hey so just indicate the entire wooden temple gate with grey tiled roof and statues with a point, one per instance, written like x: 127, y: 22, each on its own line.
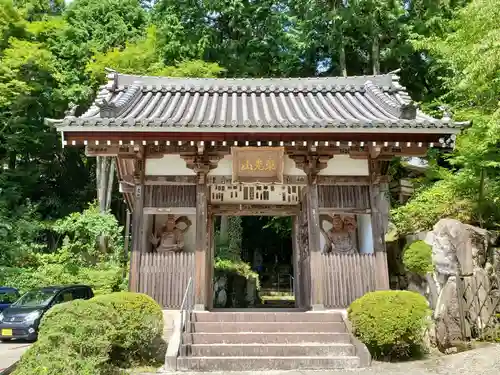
x: 316, y: 149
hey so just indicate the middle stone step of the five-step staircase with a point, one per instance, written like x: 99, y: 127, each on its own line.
x: 266, y: 338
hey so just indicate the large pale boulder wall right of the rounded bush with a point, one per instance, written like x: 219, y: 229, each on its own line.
x: 466, y: 276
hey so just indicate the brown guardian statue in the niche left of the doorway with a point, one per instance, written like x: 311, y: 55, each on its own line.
x: 170, y: 237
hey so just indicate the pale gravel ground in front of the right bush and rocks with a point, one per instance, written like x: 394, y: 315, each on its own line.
x: 481, y: 361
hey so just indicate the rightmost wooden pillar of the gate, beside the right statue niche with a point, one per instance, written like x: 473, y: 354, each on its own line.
x: 379, y: 195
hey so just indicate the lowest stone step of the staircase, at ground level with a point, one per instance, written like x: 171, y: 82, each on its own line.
x: 265, y: 363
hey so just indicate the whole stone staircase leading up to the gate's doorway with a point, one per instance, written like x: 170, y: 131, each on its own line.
x: 255, y: 341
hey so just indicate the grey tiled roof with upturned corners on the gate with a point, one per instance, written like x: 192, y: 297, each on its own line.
x: 164, y: 103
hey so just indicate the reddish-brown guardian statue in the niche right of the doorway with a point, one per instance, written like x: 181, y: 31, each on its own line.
x: 341, y: 237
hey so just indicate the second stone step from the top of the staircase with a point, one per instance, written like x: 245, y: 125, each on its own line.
x: 264, y: 327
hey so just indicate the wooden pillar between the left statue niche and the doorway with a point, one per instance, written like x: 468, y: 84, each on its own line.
x: 200, y: 281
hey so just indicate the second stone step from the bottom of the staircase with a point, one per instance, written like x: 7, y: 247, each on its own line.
x: 269, y: 350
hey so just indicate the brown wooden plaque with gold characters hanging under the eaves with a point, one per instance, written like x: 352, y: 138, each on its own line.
x: 258, y: 164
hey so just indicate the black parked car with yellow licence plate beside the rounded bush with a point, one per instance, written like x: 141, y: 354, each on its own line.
x: 22, y: 319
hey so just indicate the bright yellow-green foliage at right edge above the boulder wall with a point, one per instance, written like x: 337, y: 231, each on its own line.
x: 466, y: 53
